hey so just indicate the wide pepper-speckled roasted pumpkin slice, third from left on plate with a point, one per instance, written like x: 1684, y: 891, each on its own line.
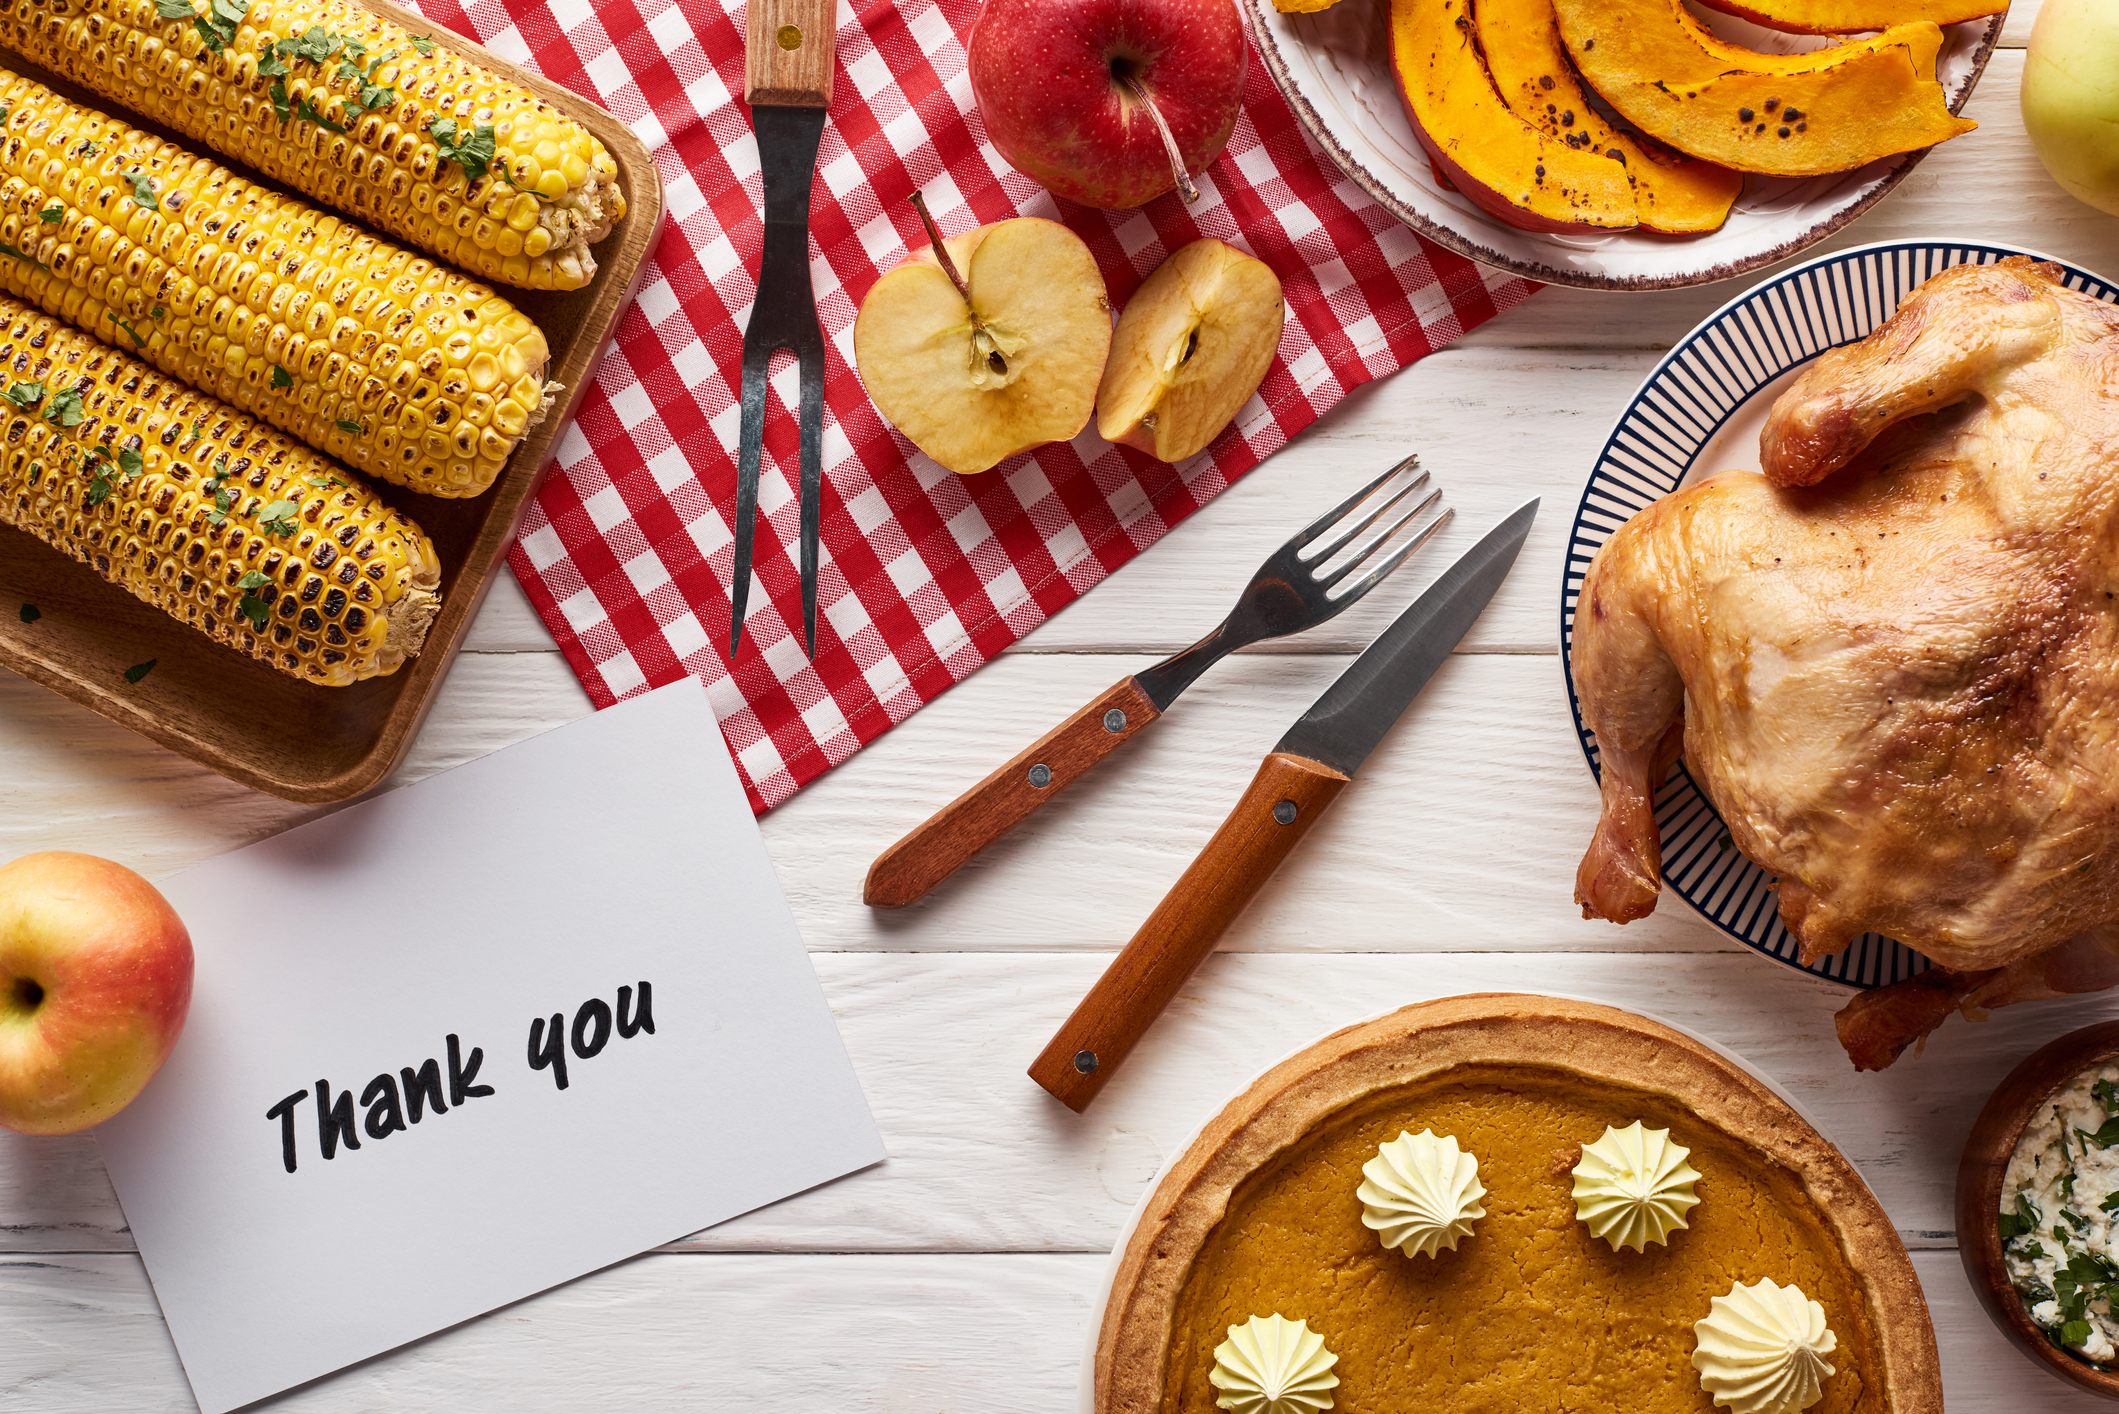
x: 1783, y: 116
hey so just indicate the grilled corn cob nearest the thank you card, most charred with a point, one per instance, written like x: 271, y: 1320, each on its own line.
x: 202, y: 512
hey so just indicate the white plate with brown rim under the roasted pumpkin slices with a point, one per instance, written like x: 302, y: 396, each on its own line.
x: 1334, y: 67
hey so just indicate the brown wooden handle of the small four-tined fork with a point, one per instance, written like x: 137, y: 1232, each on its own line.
x: 1005, y: 800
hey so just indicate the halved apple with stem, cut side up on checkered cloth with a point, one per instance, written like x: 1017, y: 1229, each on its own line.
x: 986, y: 344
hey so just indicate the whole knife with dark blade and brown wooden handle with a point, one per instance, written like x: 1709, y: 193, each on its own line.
x: 1296, y: 783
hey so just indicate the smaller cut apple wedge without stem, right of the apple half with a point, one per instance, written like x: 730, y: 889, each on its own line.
x: 1192, y: 347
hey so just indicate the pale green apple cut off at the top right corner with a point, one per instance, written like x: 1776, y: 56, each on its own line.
x: 2071, y: 99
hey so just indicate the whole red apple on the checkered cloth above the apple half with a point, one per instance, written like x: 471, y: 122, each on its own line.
x: 1067, y: 90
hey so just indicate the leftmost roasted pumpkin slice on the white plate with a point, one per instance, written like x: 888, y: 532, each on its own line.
x: 1503, y: 164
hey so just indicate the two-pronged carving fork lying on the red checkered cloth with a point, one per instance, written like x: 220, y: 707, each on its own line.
x: 787, y: 84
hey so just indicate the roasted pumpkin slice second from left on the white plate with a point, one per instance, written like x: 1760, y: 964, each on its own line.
x: 1531, y: 71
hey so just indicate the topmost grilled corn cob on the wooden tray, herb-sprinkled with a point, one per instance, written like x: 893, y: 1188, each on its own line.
x: 357, y: 113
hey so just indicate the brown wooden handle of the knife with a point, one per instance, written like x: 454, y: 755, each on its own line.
x: 1283, y: 802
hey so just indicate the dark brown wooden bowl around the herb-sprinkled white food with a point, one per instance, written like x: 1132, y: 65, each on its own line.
x: 1980, y: 1176
